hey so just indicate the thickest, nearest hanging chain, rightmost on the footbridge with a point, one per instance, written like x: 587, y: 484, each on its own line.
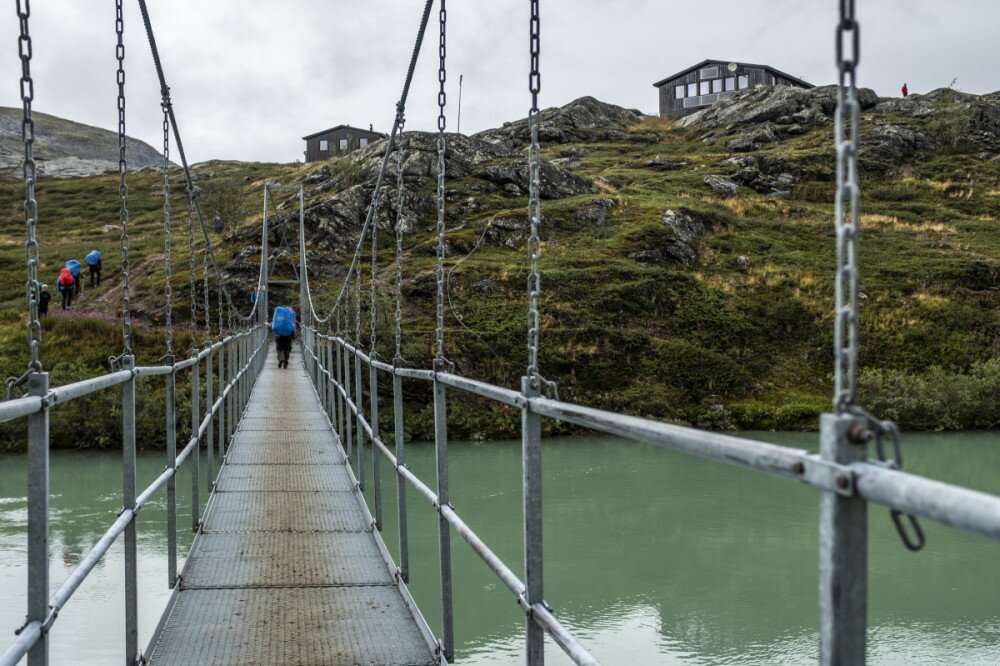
x: 846, y: 222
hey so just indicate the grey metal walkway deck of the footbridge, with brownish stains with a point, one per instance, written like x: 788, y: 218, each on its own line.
x: 288, y: 569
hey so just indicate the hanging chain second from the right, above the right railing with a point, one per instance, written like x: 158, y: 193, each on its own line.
x: 535, y: 380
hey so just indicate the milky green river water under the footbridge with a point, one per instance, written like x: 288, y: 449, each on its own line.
x: 651, y: 556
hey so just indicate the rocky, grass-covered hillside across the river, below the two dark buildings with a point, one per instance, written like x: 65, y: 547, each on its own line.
x: 687, y: 266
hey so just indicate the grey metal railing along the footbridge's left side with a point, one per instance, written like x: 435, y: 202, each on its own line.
x: 240, y: 360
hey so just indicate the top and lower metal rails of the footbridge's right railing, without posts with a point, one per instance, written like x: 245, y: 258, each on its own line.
x: 874, y: 482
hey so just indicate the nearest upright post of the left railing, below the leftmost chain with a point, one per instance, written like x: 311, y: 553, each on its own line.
x: 38, y: 519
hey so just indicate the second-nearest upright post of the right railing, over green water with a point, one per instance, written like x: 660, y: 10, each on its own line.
x: 531, y: 467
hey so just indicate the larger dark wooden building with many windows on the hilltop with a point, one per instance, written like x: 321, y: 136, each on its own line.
x: 709, y: 81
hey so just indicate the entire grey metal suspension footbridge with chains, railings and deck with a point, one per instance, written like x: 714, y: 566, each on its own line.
x: 288, y: 565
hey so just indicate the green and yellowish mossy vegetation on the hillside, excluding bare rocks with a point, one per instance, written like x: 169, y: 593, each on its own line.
x: 715, y: 343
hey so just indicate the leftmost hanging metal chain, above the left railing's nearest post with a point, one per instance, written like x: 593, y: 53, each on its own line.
x: 33, y: 288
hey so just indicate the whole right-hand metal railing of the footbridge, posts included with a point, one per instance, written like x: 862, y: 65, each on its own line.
x: 847, y: 480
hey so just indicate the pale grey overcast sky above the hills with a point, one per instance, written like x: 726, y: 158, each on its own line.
x: 249, y: 78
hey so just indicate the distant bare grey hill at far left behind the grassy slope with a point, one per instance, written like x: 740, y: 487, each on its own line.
x: 64, y: 148
